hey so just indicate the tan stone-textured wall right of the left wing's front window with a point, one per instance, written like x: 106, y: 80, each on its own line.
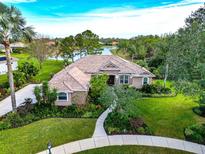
x: 79, y: 97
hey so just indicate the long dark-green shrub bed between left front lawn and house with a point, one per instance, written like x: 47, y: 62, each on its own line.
x: 27, y: 114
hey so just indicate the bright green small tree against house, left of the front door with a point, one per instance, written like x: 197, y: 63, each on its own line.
x: 98, y: 85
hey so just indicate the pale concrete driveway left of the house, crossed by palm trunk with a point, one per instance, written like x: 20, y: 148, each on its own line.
x: 21, y: 95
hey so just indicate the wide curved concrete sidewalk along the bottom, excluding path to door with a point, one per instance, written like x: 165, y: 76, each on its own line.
x: 154, y: 141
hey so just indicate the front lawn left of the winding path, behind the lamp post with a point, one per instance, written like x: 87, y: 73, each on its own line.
x: 34, y: 137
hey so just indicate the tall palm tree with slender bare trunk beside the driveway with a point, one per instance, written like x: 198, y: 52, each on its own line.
x: 12, y: 28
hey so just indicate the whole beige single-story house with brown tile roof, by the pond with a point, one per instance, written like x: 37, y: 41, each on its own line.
x: 72, y: 83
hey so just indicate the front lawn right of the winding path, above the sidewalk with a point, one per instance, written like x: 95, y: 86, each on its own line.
x: 168, y: 116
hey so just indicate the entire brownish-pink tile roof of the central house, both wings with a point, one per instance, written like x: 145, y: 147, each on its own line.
x: 76, y: 76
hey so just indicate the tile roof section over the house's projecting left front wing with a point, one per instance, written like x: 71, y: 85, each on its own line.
x: 70, y: 80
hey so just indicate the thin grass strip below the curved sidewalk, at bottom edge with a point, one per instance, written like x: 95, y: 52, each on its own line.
x: 132, y: 150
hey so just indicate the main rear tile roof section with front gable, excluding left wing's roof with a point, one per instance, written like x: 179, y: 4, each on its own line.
x: 94, y: 64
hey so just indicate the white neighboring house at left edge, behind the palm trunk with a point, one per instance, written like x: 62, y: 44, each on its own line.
x: 3, y: 65
